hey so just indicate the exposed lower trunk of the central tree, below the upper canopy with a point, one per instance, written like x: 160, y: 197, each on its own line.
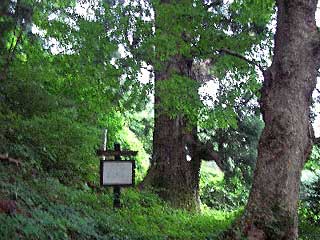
x: 172, y: 173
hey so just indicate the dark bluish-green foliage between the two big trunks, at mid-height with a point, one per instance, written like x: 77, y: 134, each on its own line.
x: 236, y: 146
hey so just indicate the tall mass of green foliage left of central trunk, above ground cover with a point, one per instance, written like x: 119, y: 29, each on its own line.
x: 53, y: 104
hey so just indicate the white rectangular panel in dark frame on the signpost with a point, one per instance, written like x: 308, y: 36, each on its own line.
x: 115, y: 173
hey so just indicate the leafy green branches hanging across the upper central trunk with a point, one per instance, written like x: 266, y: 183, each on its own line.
x: 240, y: 26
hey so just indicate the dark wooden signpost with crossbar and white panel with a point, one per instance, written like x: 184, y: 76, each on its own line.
x: 117, y: 173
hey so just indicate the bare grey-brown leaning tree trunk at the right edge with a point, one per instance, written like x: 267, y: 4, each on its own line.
x: 286, y: 141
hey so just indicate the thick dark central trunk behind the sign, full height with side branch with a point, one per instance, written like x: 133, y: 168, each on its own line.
x: 177, y: 151
